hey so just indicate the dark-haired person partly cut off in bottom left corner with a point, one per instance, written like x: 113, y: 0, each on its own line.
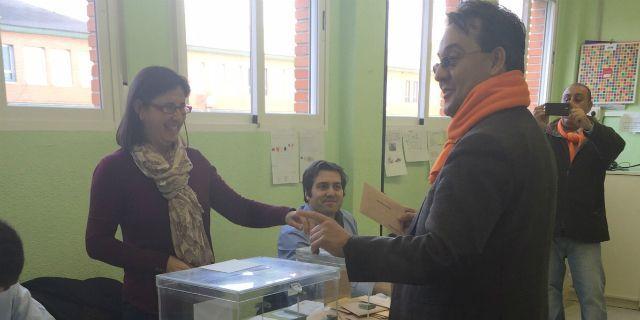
x: 16, y: 302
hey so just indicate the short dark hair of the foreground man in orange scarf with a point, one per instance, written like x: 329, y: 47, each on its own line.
x: 496, y: 26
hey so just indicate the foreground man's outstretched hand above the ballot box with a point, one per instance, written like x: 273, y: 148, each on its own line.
x: 327, y: 234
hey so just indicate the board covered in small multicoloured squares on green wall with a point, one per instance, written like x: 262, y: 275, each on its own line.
x: 610, y: 70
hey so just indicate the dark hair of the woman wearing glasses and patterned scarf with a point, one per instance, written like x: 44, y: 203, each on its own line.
x: 148, y: 84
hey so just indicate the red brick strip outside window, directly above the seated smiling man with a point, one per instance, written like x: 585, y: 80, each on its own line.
x: 302, y: 69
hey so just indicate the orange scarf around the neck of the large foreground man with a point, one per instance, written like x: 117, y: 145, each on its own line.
x: 501, y: 92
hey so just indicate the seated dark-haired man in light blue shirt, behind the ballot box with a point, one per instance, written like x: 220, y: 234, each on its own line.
x: 323, y: 186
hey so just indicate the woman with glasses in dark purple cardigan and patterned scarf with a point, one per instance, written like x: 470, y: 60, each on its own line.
x: 160, y: 191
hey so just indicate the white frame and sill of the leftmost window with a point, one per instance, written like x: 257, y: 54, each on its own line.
x: 61, y: 118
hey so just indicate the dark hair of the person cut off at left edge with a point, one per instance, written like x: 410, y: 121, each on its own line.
x: 11, y: 256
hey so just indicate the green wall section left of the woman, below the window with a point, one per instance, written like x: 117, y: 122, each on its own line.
x: 44, y: 194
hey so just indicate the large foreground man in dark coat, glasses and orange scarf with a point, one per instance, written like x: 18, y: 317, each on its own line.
x: 479, y: 246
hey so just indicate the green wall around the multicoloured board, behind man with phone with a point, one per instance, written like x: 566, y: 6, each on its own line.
x: 580, y: 20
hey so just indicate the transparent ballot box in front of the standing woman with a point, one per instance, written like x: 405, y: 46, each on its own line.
x: 254, y: 288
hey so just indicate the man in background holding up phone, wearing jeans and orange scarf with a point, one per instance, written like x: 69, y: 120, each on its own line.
x: 584, y: 149
